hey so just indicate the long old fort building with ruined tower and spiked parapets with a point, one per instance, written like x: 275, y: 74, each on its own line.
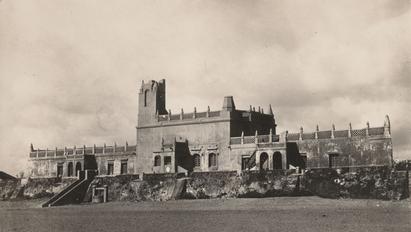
x: 222, y: 140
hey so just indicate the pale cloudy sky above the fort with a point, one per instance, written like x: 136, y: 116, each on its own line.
x: 70, y: 71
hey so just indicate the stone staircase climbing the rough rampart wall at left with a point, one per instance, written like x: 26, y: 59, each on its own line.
x: 75, y: 192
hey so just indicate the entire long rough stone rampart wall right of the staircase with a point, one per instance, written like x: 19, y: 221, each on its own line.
x: 371, y: 182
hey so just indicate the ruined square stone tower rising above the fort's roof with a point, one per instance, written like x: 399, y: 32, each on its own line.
x: 151, y: 102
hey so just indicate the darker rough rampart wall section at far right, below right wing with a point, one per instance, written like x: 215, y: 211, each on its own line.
x: 368, y: 182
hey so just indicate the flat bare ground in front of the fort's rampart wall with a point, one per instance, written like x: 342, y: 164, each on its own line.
x: 268, y: 214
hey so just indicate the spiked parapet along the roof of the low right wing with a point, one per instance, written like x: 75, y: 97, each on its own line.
x: 368, y: 131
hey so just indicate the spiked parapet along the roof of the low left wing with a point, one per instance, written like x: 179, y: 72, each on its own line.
x: 84, y: 150
